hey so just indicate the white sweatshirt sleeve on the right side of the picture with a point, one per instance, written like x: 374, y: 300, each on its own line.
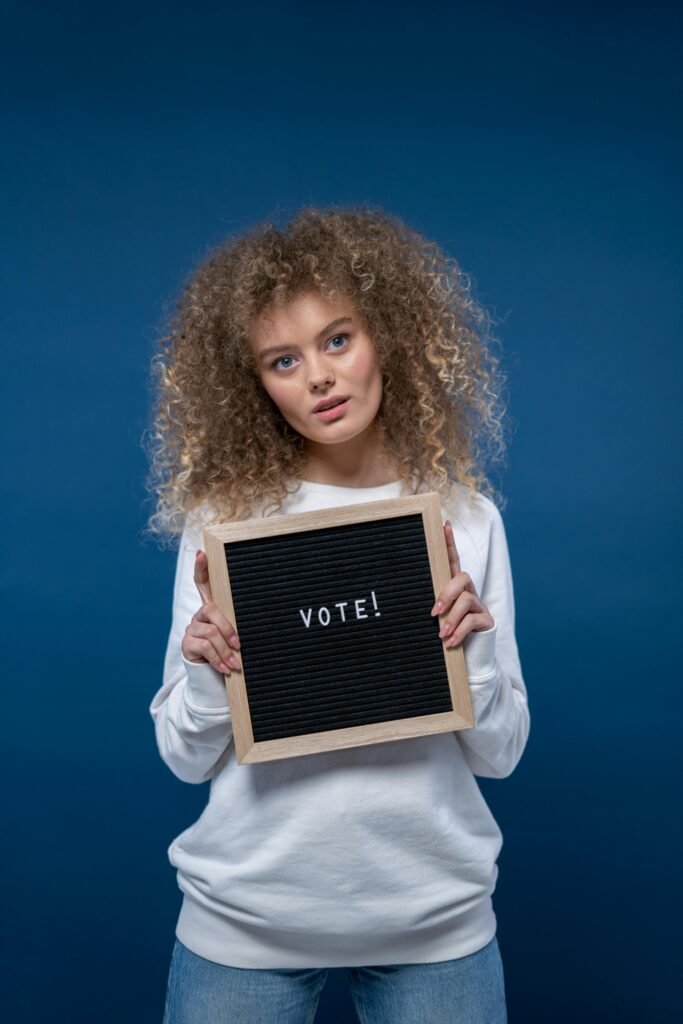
x: 495, y: 745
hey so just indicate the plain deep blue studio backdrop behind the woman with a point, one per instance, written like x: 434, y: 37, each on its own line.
x: 541, y: 146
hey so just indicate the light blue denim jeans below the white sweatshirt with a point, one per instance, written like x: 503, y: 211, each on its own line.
x: 466, y: 991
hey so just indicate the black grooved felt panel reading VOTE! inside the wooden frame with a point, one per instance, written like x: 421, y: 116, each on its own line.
x: 353, y: 671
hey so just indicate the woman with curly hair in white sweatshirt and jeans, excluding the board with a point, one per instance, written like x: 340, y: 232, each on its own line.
x: 380, y: 859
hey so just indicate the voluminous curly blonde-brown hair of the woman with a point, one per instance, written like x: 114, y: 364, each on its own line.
x: 218, y: 437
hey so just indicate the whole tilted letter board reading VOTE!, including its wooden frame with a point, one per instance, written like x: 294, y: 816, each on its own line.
x: 333, y: 610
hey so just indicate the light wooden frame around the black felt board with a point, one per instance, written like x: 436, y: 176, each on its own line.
x: 248, y: 751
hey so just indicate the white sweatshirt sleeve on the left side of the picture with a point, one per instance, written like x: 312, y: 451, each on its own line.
x: 191, y: 712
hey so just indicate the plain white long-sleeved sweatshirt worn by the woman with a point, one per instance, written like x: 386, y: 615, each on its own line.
x: 374, y: 856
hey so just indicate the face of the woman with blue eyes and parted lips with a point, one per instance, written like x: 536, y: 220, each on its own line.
x: 312, y: 352
